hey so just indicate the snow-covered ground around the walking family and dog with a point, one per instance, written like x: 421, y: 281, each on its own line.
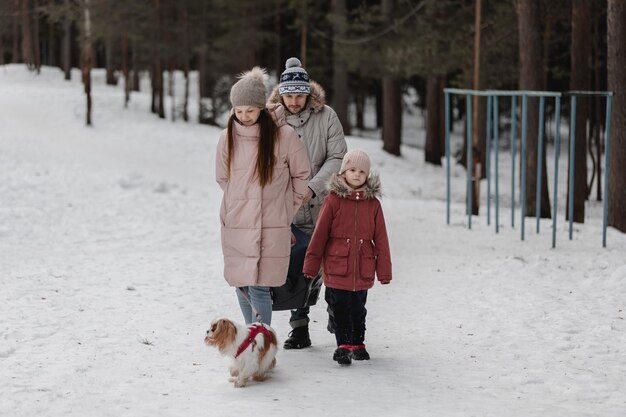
x: 111, y: 270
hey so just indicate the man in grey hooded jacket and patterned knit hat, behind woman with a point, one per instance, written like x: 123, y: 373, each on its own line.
x: 319, y: 129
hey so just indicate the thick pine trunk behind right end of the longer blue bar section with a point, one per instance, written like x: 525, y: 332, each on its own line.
x: 531, y: 78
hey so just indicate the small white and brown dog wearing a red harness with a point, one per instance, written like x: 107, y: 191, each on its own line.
x: 252, y: 348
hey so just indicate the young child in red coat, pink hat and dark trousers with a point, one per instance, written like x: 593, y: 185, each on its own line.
x: 350, y: 242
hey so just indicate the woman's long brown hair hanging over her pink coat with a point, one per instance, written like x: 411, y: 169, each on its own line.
x: 266, y: 159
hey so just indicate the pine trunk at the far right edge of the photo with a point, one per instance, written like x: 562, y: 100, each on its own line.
x: 616, y: 62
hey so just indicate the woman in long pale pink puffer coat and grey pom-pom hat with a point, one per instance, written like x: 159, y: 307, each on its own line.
x: 263, y: 169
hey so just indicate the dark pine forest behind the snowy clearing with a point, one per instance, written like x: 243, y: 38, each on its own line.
x: 360, y: 52
